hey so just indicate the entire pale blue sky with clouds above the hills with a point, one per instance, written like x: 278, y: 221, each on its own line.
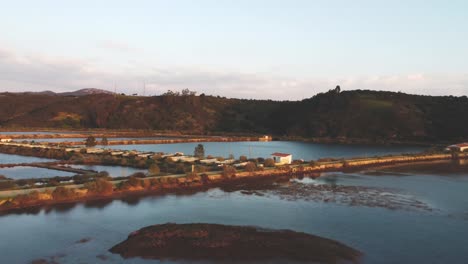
x: 264, y: 49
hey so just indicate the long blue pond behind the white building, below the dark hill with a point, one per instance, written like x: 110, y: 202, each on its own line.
x: 300, y: 150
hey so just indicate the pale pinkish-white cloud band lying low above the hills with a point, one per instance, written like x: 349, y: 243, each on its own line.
x: 37, y: 72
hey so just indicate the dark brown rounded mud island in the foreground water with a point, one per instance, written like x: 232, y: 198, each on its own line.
x: 215, y: 242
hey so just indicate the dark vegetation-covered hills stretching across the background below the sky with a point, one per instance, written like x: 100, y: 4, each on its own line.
x: 367, y: 115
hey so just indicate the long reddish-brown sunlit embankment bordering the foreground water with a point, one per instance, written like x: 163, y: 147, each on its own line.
x: 201, y: 181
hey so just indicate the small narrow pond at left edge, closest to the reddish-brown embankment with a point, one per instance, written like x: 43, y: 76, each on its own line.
x: 25, y: 172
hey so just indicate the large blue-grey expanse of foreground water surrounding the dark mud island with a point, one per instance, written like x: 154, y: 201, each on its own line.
x: 385, y: 236
